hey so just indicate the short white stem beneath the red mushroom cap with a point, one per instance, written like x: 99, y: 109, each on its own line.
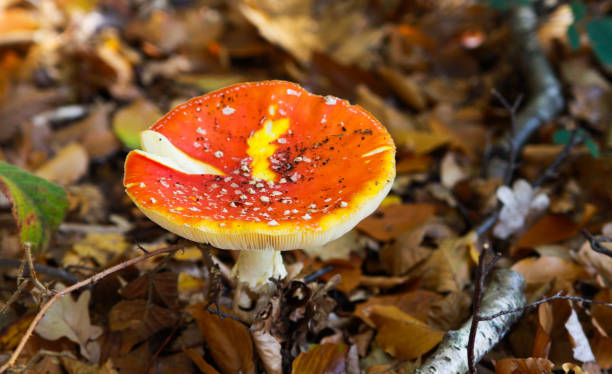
x: 256, y: 267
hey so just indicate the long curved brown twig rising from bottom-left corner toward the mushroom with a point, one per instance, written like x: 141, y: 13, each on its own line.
x: 85, y: 282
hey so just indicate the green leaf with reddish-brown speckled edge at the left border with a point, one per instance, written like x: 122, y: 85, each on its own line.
x: 38, y: 205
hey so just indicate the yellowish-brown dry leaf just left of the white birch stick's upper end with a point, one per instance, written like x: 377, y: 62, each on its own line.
x: 448, y: 268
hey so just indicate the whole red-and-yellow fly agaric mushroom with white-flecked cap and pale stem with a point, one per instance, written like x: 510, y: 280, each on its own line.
x: 261, y: 168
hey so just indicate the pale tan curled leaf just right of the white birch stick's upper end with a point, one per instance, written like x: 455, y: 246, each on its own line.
x: 545, y: 268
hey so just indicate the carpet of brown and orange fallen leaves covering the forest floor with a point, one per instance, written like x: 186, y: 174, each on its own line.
x: 80, y: 80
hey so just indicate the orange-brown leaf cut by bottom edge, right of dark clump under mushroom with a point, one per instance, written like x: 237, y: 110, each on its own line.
x: 321, y: 359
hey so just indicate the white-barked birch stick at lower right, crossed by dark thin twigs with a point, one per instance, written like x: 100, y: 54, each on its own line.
x: 505, y: 292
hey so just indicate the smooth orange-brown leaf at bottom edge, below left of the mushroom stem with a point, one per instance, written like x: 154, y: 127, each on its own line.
x: 228, y: 340
